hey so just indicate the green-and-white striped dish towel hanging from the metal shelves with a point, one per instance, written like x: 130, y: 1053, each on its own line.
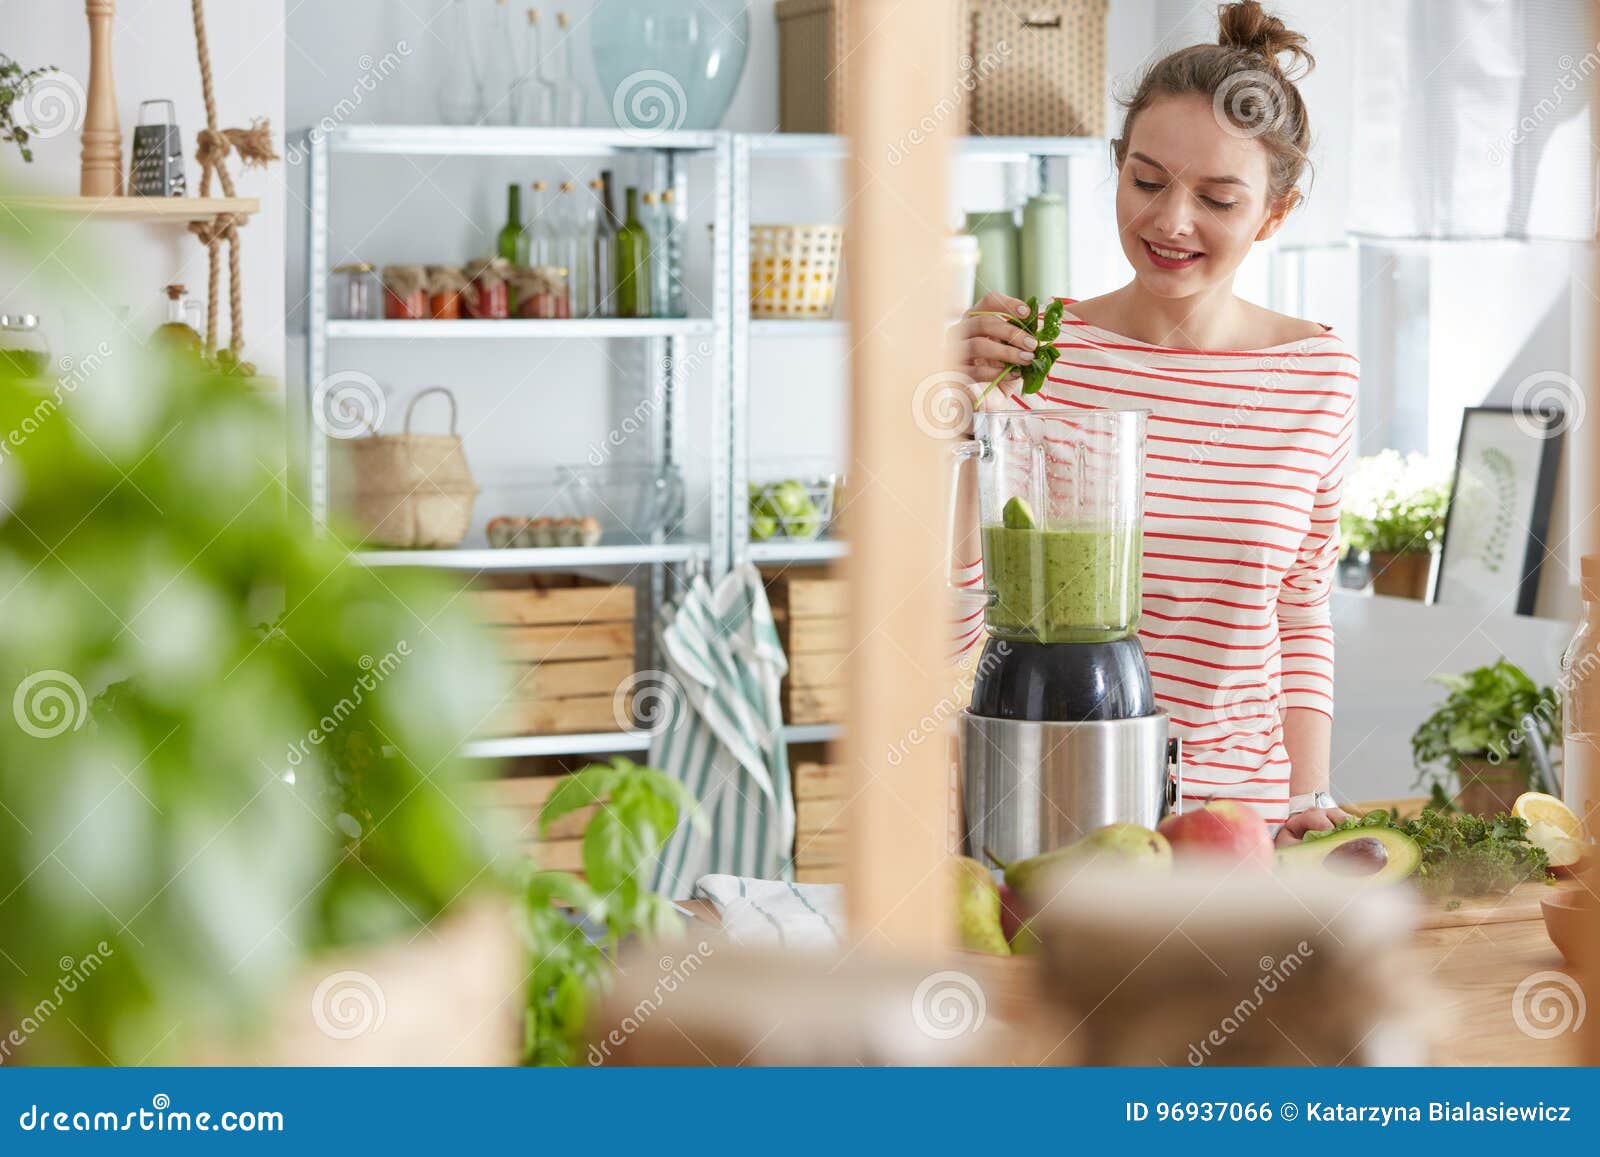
x: 724, y: 735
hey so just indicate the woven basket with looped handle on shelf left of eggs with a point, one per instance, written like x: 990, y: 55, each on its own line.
x: 410, y: 490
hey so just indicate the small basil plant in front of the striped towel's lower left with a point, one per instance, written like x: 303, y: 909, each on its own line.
x: 638, y: 809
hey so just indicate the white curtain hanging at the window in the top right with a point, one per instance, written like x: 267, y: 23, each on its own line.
x: 1473, y: 119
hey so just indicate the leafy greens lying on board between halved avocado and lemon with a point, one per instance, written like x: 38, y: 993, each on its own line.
x: 1463, y: 855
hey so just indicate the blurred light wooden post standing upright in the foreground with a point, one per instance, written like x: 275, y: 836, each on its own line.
x: 898, y: 105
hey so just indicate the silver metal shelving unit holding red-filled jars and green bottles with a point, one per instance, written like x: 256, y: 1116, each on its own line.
x: 670, y: 346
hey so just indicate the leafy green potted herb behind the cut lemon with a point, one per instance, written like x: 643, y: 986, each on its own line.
x: 1482, y: 718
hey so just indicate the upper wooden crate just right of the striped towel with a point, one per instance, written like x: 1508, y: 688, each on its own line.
x: 810, y: 612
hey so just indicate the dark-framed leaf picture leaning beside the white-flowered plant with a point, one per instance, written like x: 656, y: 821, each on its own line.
x: 1500, y: 508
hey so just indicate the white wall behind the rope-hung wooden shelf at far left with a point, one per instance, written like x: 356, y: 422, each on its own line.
x: 154, y: 57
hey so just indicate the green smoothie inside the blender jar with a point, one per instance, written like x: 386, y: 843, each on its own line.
x: 1063, y: 587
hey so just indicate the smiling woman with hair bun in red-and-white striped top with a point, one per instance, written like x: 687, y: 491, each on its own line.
x: 1252, y: 418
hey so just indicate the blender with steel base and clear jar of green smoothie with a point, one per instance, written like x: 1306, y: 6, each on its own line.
x: 1063, y: 734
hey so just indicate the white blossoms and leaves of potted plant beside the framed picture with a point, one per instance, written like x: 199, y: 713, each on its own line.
x: 1396, y: 505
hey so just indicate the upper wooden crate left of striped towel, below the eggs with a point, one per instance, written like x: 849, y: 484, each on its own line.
x: 570, y: 646
